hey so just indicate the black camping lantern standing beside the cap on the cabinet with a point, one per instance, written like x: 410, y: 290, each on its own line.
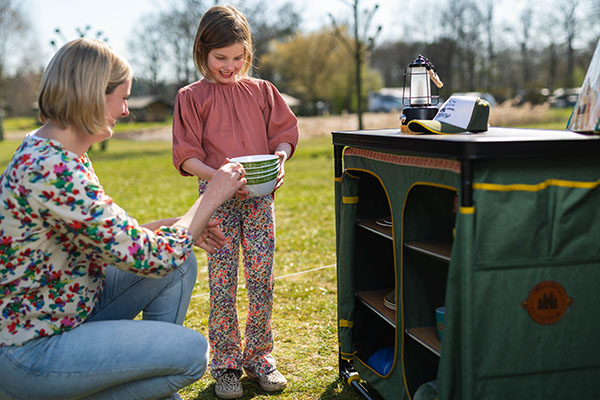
x: 419, y: 103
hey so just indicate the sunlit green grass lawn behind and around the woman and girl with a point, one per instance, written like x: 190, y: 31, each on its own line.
x: 142, y: 180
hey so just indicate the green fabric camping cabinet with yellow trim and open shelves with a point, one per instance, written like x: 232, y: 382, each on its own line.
x: 501, y: 228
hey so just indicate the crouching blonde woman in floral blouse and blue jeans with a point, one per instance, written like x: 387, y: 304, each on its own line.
x: 75, y: 268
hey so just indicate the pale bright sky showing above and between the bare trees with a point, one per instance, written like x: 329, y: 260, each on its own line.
x: 118, y: 18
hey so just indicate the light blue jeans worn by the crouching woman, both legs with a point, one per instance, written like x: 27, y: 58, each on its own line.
x: 111, y: 356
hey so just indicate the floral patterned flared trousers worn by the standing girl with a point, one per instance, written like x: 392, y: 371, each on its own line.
x: 250, y: 224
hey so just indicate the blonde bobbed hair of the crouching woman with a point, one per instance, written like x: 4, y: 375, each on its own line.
x: 75, y: 82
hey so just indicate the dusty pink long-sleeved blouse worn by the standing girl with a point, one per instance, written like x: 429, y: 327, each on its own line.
x: 213, y: 121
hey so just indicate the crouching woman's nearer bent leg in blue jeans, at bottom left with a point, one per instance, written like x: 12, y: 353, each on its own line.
x: 105, y: 360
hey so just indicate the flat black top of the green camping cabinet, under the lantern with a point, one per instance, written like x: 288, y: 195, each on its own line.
x: 495, y: 143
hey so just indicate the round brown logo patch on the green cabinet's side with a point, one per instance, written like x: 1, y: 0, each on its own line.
x: 547, y: 302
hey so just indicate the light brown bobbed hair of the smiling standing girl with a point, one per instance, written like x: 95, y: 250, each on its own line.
x: 222, y: 26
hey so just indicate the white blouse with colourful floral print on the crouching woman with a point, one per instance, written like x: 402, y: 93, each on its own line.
x: 58, y: 232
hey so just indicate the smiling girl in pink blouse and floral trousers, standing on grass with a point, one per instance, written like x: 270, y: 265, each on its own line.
x: 228, y: 114
